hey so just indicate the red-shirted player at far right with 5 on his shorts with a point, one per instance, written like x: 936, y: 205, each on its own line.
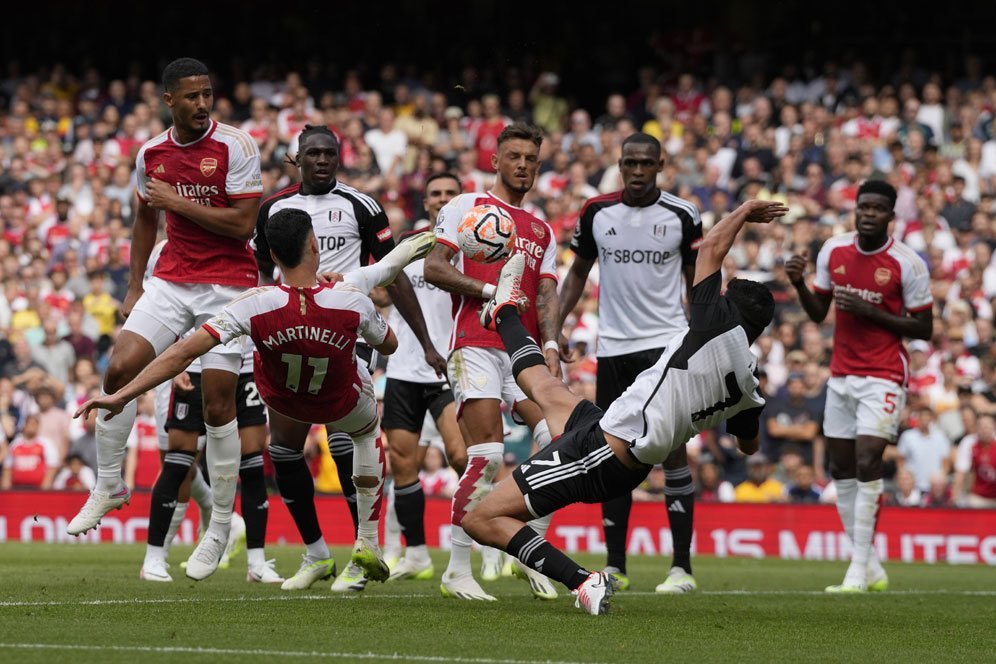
x: 881, y: 289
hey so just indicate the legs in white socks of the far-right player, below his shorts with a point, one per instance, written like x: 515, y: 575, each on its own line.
x: 856, y: 466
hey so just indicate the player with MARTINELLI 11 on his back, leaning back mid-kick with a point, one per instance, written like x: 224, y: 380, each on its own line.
x: 306, y: 370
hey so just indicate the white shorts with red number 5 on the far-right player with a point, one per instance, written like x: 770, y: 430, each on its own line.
x: 862, y: 406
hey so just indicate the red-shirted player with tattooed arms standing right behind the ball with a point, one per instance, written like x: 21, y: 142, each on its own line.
x: 479, y: 370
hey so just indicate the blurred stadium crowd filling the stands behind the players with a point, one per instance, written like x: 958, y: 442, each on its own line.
x: 67, y: 184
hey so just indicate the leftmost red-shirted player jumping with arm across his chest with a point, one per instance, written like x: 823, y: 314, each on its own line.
x: 205, y: 177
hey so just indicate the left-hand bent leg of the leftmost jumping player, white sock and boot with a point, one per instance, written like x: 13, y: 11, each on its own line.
x: 131, y: 354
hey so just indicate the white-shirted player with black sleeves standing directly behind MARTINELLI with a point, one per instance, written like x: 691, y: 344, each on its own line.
x: 351, y: 228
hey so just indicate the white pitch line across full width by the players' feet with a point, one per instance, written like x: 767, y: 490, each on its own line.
x: 353, y: 598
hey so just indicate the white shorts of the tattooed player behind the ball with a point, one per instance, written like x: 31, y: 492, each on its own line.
x: 482, y: 373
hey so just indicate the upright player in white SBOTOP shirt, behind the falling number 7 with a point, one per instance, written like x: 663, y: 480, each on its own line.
x: 644, y: 241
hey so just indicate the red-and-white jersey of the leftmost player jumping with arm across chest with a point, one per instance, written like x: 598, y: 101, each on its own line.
x: 219, y: 167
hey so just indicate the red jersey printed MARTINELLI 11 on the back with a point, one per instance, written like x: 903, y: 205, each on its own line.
x: 305, y: 360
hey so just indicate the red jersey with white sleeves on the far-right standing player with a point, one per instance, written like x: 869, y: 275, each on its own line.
x: 893, y: 278
